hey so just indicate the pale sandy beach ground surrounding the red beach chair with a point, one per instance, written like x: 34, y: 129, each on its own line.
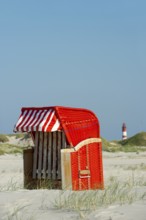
x: 18, y: 203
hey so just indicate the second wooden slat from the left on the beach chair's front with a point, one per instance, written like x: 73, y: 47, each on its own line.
x: 40, y: 155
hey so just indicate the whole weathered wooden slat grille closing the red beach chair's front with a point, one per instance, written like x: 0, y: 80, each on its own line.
x: 47, y: 154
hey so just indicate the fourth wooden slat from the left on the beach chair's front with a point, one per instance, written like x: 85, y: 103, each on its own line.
x: 49, y: 155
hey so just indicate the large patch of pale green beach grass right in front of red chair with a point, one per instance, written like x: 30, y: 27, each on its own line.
x: 115, y: 192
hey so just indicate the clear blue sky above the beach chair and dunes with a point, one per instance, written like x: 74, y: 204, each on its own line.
x: 89, y: 54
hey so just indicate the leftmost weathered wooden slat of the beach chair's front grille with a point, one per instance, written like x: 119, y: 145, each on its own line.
x: 35, y: 155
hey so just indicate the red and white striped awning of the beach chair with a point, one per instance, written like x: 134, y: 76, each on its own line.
x: 37, y: 119
